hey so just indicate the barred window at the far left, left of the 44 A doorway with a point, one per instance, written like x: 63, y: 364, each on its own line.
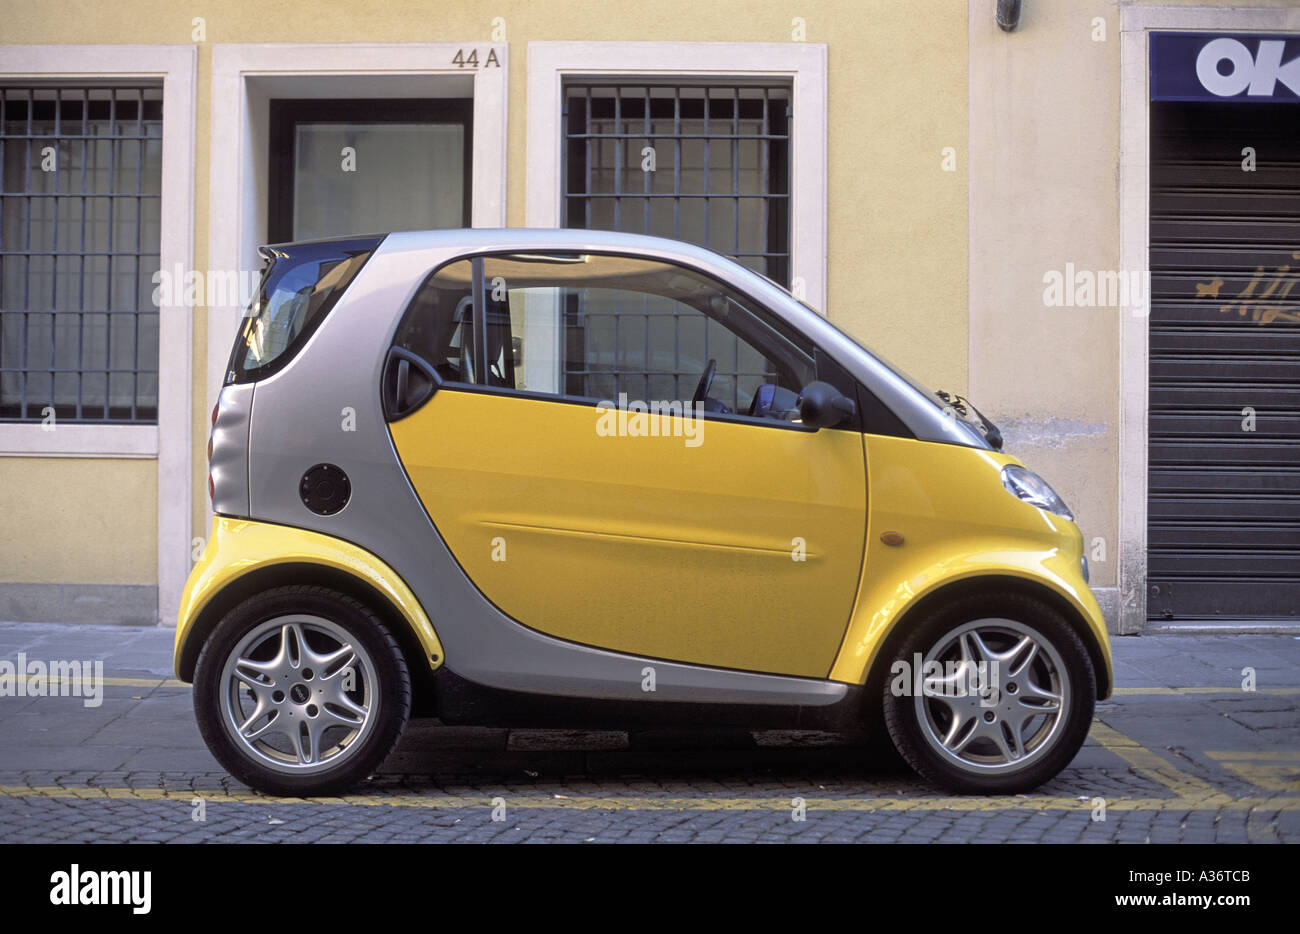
x: 80, y: 239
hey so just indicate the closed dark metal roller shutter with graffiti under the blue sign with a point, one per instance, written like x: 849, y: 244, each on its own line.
x: 1224, y: 509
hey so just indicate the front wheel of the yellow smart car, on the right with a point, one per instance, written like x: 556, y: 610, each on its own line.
x: 960, y: 730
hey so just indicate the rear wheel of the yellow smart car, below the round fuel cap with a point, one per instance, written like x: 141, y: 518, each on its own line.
x: 301, y: 691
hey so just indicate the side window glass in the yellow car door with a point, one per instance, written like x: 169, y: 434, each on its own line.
x: 610, y: 328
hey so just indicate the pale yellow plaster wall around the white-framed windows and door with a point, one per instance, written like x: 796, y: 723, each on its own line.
x: 896, y: 222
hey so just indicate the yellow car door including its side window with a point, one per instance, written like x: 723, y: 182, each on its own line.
x: 591, y: 491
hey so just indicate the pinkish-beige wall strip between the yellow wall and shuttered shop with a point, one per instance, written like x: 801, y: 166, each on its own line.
x: 1045, y: 192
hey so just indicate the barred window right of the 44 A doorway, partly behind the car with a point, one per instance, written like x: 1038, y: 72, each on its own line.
x: 704, y: 163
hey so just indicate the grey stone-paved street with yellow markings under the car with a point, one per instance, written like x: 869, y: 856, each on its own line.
x: 1182, y: 754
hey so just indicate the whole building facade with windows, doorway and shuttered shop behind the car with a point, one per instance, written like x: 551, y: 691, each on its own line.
x: 1100, y: 210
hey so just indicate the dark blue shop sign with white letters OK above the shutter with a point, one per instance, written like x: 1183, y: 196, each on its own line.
x: 1216, y: 67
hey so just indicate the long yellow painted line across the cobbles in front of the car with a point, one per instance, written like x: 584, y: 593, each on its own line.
x: 644, y: 803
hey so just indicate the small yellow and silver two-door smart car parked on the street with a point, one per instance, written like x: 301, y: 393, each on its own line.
x: 584, y: 479
